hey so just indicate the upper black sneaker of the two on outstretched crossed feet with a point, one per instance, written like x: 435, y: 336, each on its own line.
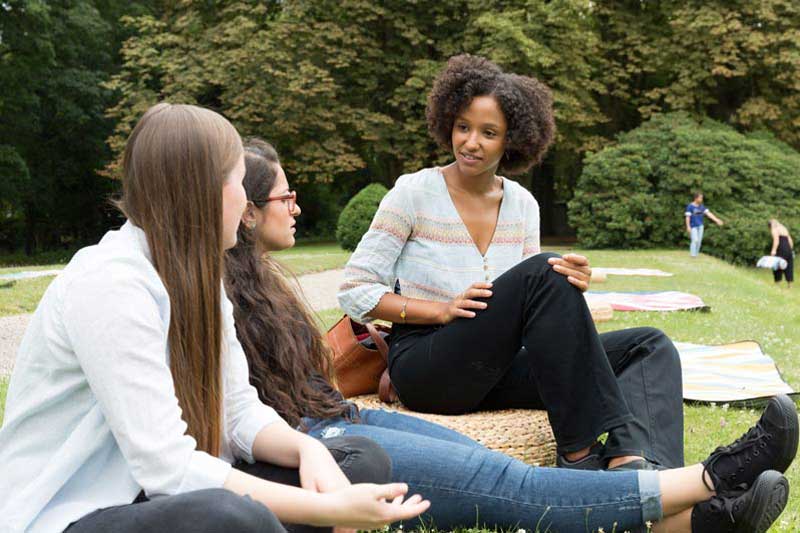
x: 769, y: 445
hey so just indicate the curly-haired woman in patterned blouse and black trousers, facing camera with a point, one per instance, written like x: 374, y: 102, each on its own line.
x: 483, y: 319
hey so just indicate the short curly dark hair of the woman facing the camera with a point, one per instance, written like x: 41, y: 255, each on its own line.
x: 527, y: 105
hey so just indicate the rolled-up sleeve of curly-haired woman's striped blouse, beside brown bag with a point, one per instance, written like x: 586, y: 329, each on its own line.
x: 370, y: 272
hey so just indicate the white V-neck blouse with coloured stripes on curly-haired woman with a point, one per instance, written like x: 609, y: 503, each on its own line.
x: 418, y: 242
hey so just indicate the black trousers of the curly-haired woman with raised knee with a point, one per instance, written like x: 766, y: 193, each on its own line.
x: 581, y: 378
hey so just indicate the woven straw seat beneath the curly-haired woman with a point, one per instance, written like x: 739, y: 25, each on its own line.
x: 524, y: 434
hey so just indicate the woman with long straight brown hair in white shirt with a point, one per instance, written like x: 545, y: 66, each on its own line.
x: 129, y: 408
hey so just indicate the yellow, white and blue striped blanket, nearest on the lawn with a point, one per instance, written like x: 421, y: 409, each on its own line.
x: 729, y: 372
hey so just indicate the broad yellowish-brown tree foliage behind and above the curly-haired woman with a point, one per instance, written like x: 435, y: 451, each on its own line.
x: 340, y: 86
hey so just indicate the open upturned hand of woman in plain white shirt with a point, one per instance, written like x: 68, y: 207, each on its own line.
x: 367, y: 506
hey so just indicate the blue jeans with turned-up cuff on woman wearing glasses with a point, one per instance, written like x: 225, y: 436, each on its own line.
x: 469, y: 485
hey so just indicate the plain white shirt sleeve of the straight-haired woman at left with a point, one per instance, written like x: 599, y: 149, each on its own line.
x: 115, y: 325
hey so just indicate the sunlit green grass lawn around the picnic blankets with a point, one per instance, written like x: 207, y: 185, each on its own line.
x: 745, y: 304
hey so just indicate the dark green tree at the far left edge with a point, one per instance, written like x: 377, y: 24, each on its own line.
x: 54, y: 57
